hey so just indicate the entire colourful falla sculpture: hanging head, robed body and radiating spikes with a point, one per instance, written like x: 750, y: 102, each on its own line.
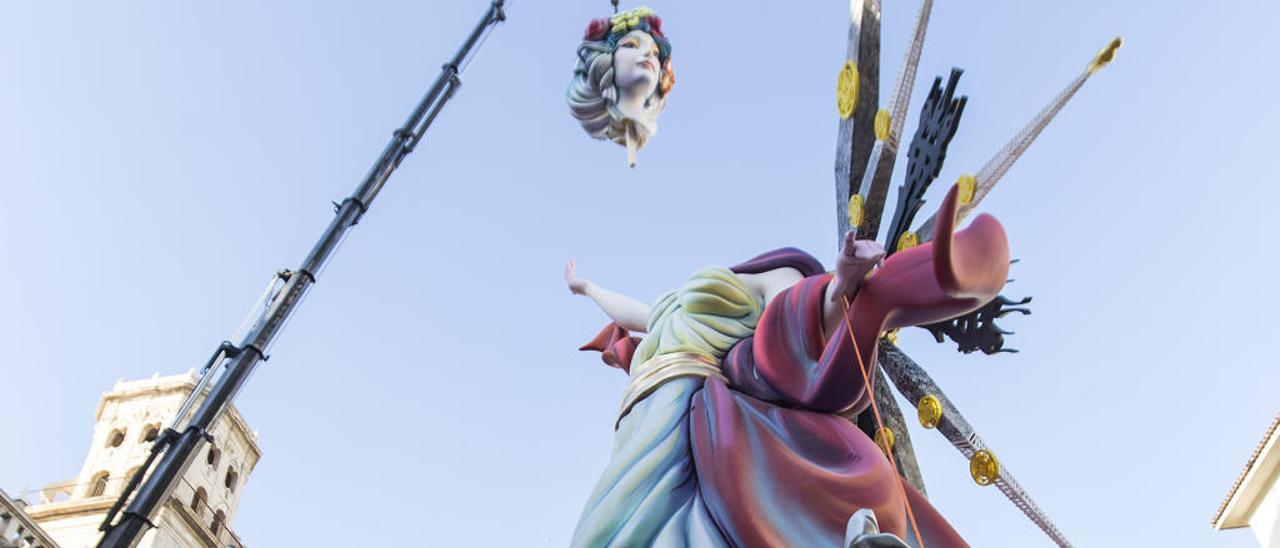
x: 734, y: 427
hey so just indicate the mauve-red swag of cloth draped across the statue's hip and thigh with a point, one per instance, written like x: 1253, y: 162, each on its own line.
x: 778, y: 477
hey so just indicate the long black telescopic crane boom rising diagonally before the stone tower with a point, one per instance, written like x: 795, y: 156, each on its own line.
x: 182, y: 447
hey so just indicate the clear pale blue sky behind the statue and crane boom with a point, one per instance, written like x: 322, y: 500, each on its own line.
x: 161, y: 161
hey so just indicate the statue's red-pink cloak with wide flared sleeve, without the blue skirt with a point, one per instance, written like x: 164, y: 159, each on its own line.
x: 774, y: 464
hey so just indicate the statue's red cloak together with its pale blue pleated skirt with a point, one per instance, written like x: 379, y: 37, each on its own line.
x: 764, y: 459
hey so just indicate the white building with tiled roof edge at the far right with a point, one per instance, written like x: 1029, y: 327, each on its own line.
x: 1255, y: 500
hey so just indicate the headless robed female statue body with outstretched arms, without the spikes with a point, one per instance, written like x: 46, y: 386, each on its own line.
x: 732, y: 430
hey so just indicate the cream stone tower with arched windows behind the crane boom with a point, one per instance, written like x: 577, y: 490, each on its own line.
x: 200, y: 510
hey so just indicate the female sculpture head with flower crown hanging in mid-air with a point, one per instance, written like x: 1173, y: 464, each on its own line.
x: 623, y: 79
